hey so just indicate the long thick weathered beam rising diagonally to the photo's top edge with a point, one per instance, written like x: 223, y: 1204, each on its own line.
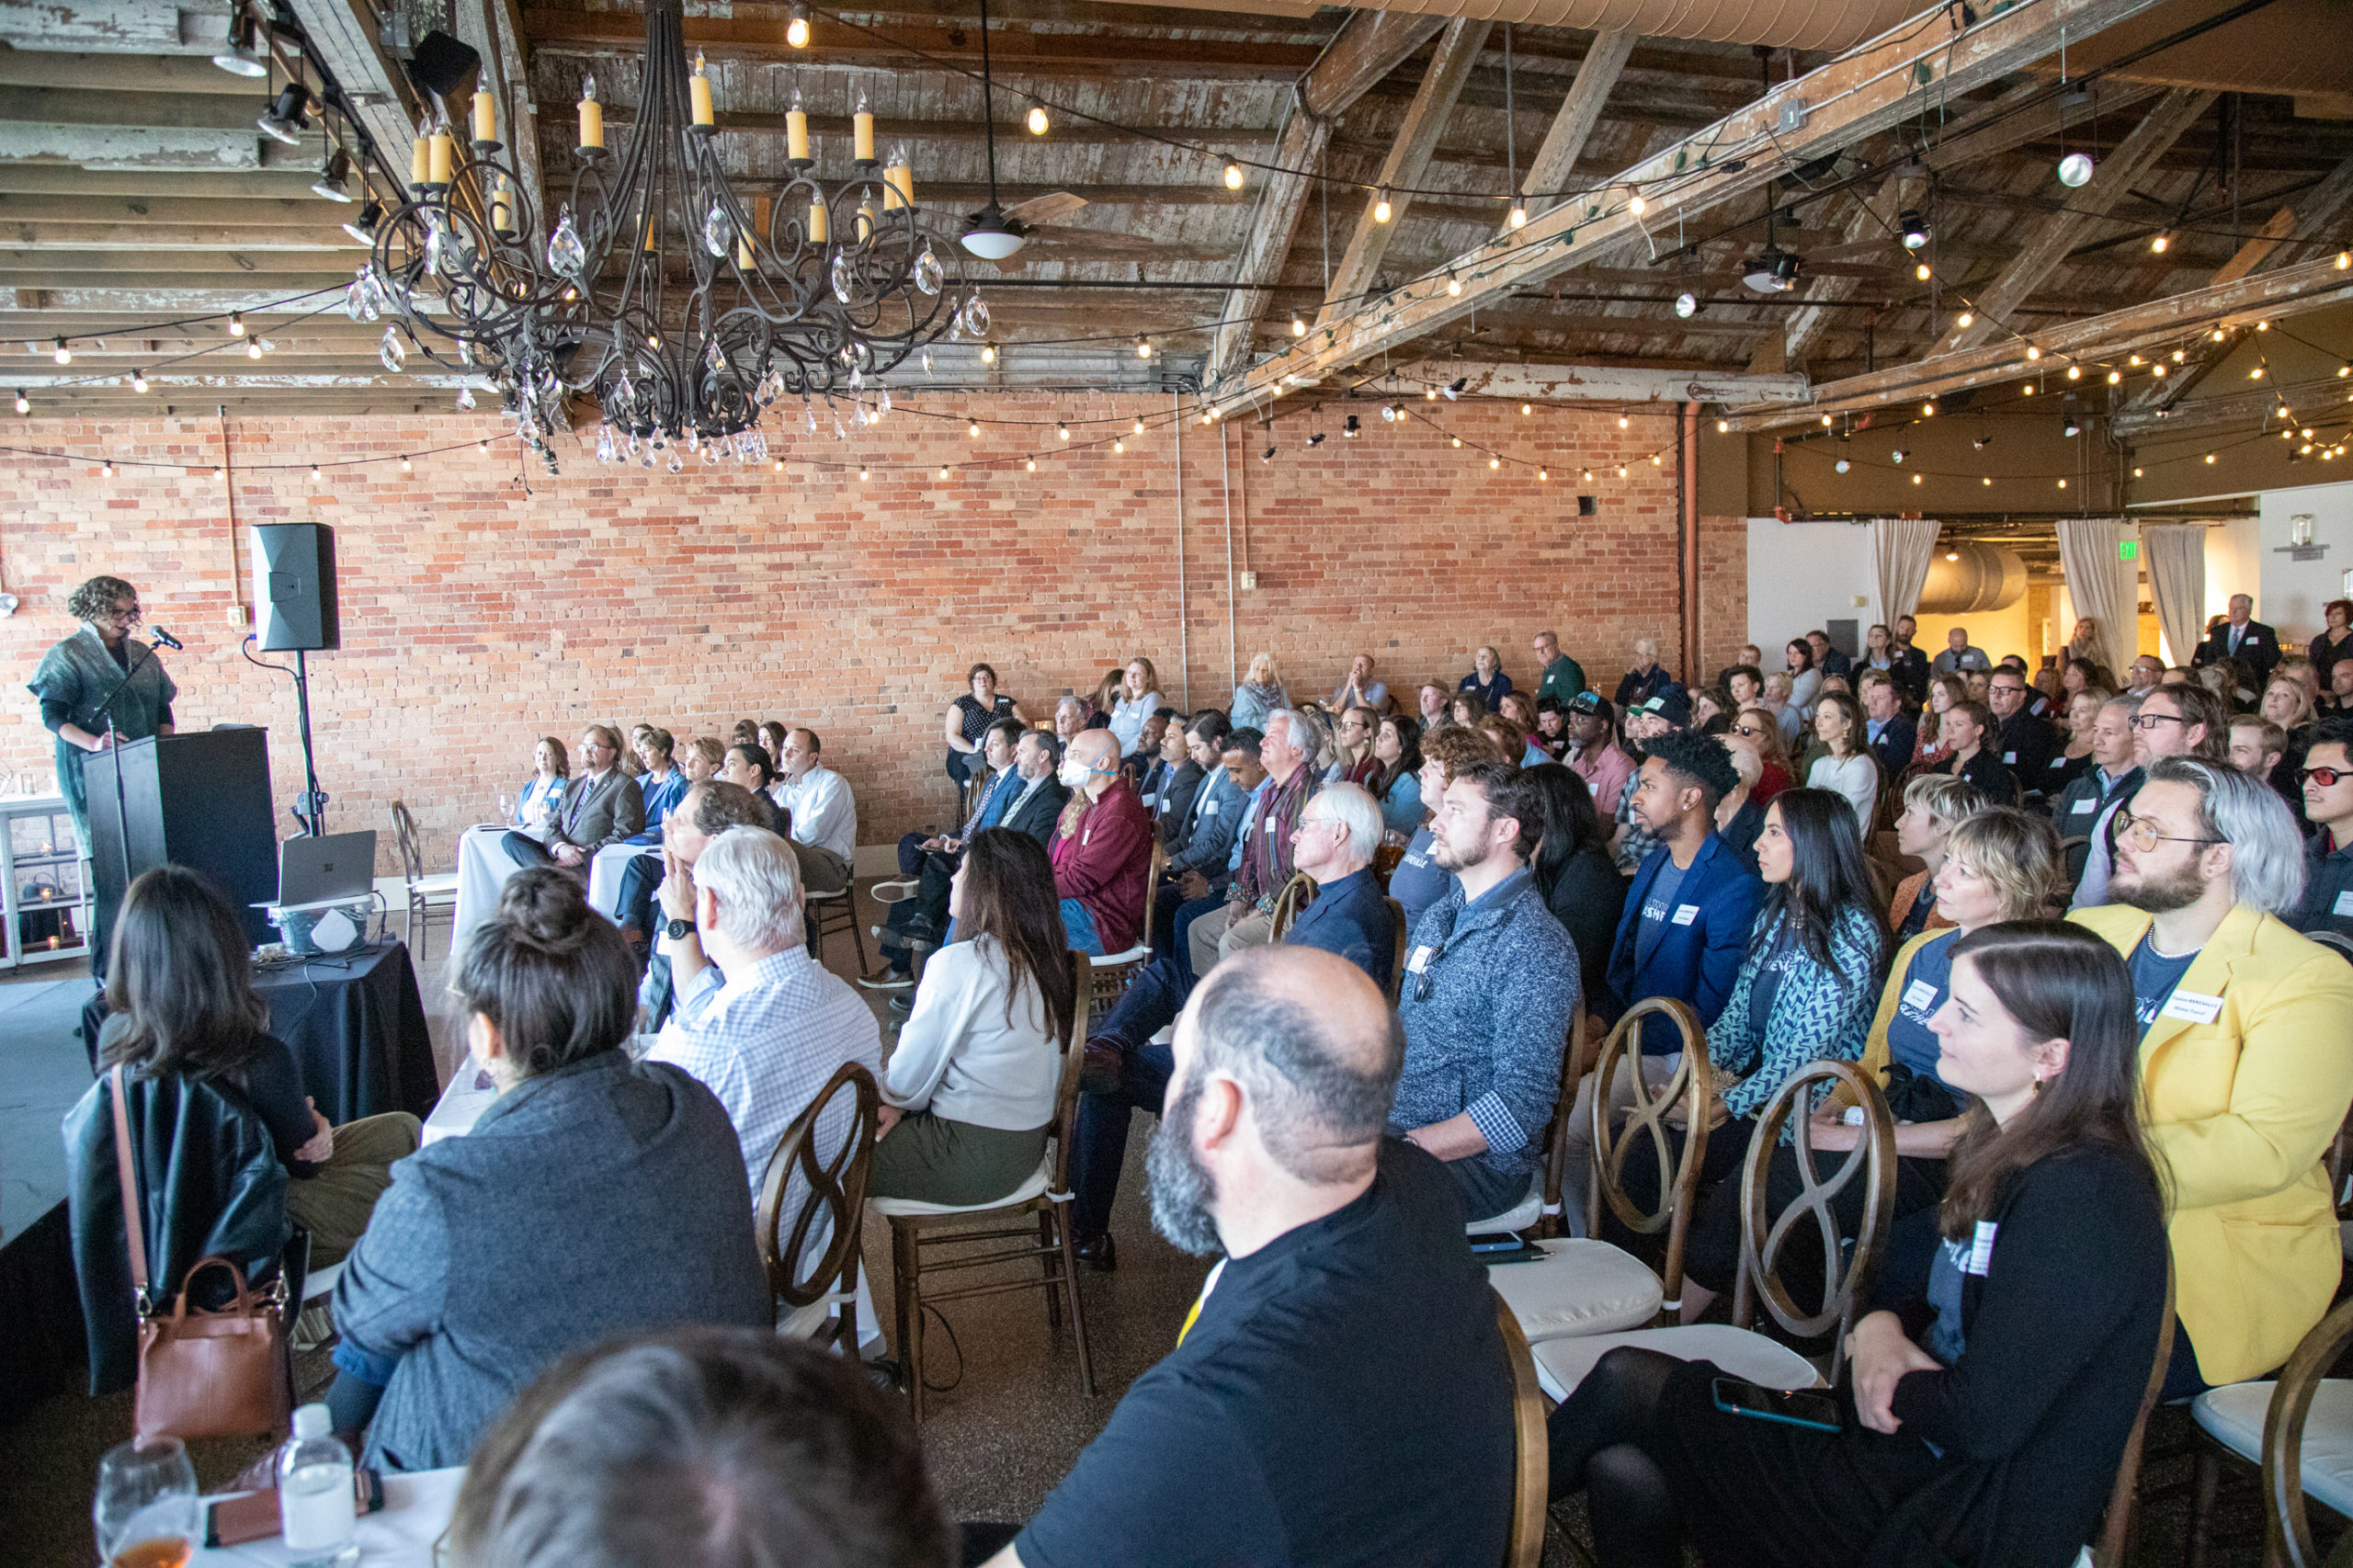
x: 1846, y: 102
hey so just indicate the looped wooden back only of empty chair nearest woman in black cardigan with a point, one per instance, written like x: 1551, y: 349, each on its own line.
x: 1846, y: 1277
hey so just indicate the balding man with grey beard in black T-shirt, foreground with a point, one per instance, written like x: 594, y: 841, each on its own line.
x: 1340, y: 1388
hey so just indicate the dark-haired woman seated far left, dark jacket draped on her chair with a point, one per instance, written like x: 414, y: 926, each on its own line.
x: 180, y: 999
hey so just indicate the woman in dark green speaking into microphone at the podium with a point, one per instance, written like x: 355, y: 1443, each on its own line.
x: 76, y: 677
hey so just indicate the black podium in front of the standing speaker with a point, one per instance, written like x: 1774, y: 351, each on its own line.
x: 196, y: 799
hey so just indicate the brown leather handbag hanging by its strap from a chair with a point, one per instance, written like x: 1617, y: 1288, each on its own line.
x: 201, y: 1374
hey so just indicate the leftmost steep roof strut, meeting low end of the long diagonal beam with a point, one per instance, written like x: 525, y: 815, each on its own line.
x: 1368, y: 48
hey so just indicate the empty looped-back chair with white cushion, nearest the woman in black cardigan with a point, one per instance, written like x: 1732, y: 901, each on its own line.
x: 1846, y: 1277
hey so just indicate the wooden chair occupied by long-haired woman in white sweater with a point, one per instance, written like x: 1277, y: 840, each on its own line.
x: 1046, y: 1197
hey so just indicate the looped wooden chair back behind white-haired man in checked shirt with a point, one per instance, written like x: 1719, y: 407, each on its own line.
x: 813, y: 1268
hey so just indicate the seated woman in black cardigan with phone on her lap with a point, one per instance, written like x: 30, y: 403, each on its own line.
x: 1992, y: 1404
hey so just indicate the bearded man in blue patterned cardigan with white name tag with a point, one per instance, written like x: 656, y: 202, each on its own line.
x: 1488, y: 997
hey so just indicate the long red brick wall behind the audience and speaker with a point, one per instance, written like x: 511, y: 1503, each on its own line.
x: 479, y: 618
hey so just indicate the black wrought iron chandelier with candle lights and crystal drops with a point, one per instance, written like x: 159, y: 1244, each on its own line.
x: 681, y: 307
